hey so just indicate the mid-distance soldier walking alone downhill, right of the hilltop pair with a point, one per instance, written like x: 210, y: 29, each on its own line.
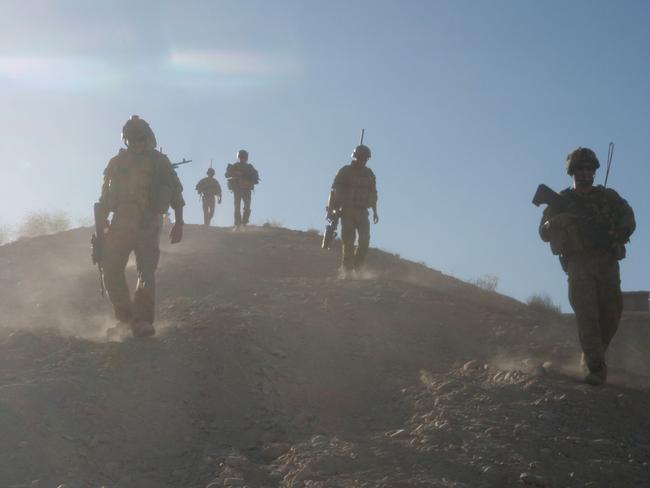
x: 353, y: 192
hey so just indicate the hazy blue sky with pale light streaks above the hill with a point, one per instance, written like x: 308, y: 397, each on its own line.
x: 467, y: 106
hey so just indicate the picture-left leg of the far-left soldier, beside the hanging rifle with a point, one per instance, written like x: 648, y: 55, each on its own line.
x: 117, y: 249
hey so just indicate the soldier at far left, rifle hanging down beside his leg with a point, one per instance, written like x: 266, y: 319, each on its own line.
x: 140, y: 185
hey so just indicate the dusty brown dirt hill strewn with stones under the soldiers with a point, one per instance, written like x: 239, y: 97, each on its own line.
x: 269, y: 371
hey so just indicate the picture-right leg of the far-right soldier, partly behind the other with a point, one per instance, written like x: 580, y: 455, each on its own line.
x: 610, y: 300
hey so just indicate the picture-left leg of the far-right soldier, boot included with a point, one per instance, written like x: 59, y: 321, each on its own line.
x: 583, y: 296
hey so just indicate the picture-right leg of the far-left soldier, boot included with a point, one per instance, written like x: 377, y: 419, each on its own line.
x: 147, y: 255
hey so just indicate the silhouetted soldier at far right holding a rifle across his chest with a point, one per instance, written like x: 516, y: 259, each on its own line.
x: 589, y: 233
